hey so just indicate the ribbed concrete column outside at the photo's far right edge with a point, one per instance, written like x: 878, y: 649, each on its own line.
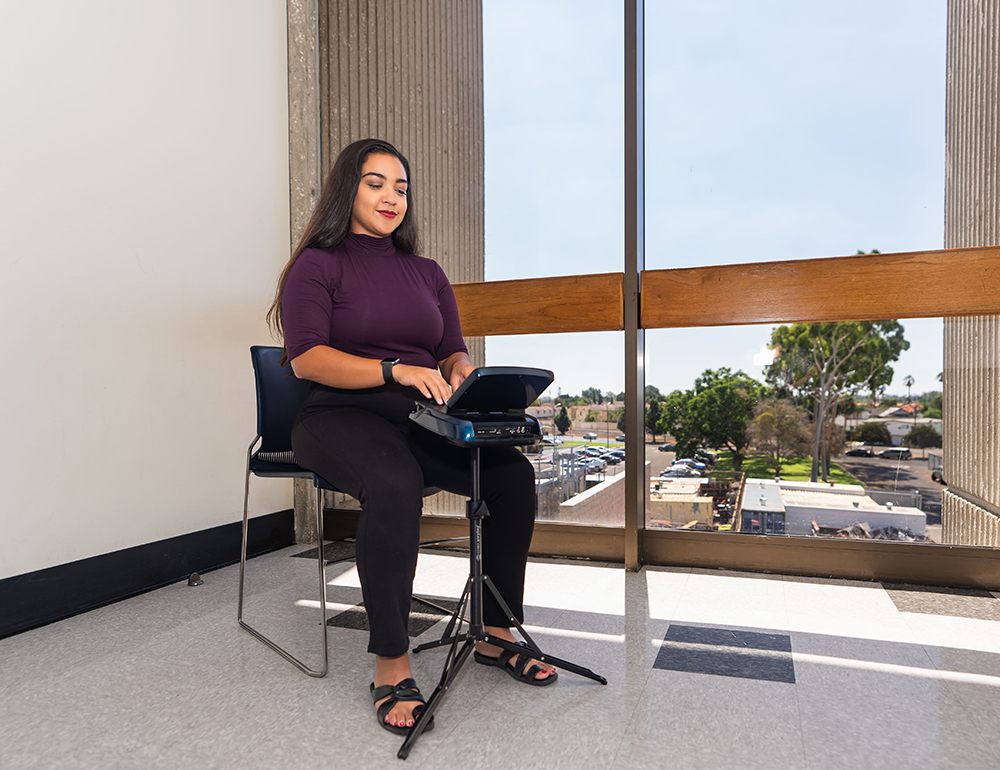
x: 972, y: 218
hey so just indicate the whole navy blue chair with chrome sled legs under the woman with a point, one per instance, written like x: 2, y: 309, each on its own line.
x: 280, y: 395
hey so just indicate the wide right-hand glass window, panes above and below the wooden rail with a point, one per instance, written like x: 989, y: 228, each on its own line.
x: 788, y: 131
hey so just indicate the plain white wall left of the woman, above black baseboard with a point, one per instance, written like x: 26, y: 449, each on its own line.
x: 143, y: 220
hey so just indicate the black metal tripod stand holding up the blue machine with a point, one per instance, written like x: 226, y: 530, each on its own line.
x: 472, y: 597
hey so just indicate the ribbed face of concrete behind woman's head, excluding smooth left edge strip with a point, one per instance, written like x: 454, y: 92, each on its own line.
x: 411, y: 72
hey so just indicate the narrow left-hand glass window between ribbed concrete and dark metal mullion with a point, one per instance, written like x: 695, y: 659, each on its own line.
x: 554, y: 126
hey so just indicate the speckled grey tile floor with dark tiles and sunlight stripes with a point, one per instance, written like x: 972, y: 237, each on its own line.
x: 705, y: 669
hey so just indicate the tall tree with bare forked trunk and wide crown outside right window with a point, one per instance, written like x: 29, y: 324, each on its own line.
x: 825, y: 360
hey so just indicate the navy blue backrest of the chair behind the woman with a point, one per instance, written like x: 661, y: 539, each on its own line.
x: 280, y: 395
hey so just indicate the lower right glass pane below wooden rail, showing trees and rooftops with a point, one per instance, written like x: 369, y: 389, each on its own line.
x: 738, y: 432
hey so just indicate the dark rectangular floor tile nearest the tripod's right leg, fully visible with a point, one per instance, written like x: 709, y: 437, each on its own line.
x: 727, y: 652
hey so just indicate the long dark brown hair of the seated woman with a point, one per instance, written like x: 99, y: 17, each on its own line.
x: 331, y: 220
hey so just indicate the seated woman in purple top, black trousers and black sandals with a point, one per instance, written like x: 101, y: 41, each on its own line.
x: 375, y: 328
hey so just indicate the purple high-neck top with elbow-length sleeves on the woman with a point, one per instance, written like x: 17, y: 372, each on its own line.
x: 366, y: 298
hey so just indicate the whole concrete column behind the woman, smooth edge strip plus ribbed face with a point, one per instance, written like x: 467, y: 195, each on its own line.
x: 409, y: 72
